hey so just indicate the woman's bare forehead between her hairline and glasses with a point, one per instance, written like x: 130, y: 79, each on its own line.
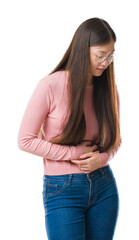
x: 109, y: 47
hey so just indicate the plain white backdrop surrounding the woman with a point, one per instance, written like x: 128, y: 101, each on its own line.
x: 34, y: 35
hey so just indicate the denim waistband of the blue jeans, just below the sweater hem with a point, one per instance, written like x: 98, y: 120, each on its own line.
x: 79, y: 176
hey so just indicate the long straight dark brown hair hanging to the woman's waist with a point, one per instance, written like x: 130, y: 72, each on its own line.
x: 94, y: 31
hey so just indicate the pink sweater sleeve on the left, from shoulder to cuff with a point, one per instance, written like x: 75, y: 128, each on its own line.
x: 35, y: 113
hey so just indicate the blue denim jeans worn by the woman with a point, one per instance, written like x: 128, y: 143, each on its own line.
x: 81, y: 206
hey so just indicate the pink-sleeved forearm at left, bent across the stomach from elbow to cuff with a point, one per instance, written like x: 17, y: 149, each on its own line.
x: 30, y: 143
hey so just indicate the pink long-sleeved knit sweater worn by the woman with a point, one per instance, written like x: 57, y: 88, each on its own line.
x: 46, y: 110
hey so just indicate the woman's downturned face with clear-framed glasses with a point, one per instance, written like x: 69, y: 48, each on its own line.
x: 98, y: 63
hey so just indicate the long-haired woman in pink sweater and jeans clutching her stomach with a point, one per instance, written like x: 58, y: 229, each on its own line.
x: 77, y: 108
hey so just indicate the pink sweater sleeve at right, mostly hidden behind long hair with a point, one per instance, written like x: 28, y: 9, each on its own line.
x: 105, y: 157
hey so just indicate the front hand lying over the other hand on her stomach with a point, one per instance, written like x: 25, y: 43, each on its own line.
x: 90, y: 162
